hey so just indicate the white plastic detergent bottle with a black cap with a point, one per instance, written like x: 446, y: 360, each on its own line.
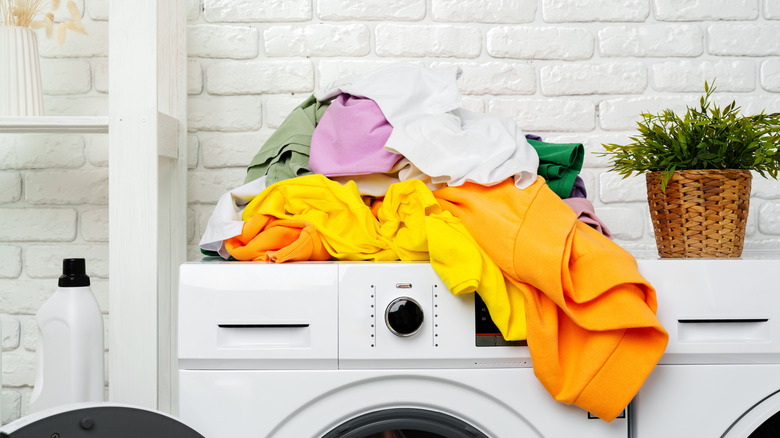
x: 70, y: 343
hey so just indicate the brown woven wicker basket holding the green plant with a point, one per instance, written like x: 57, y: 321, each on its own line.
x: 702, y: 214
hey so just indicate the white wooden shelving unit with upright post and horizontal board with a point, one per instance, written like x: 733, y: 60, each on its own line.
x: 147, y: 185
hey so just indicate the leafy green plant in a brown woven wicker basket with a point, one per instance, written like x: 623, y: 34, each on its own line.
x: 698, y: 173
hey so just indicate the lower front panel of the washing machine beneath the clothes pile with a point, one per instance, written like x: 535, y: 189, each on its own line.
x: 449, y: 403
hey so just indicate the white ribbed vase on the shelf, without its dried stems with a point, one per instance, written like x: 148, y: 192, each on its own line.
x: 21, y: 93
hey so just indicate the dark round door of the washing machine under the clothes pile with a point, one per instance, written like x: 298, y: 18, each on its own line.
x: 405, y: 423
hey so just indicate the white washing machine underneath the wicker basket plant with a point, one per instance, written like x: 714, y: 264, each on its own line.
x: 720, y: 374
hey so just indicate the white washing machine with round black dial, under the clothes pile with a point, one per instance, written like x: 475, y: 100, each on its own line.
x: 354, y: 350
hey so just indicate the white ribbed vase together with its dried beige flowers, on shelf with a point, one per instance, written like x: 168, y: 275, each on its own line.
x: 20, y: 74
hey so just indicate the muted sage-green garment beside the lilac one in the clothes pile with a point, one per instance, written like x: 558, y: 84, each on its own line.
x: 286, y: 154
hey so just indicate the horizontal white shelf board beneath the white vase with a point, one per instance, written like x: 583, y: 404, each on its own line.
x: 55, y: 124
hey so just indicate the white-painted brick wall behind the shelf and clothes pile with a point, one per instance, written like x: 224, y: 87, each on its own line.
x: 568, y: 70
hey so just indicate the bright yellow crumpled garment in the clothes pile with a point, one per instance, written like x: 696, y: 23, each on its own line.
x: 409, y: 225
